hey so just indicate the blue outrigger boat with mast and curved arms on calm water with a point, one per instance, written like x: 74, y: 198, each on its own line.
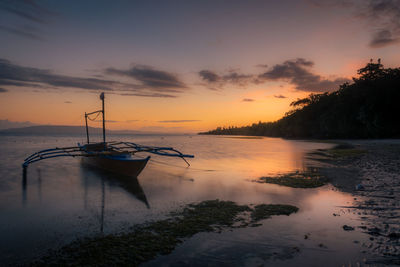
x: 118, y: 157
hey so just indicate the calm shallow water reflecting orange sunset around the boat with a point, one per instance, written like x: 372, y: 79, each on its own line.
x: 64, y: 200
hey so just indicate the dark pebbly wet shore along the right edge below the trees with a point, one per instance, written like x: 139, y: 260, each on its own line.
x: 373, y: 178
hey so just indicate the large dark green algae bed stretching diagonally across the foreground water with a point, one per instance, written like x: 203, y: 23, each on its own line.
x: 147, y: 241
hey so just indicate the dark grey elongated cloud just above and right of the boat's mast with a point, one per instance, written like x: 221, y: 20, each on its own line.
x: 150, y: 77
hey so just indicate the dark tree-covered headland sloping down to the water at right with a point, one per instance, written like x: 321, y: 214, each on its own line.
x: 369, y: 107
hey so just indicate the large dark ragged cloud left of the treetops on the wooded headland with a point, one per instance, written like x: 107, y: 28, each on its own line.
x: 298, y: 72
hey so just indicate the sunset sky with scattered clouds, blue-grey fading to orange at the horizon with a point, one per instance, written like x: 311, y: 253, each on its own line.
x: 183, y: 66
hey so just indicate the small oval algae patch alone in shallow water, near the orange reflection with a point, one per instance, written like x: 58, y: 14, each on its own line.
x: 296, y: 179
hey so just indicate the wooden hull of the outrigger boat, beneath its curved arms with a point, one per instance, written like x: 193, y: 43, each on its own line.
x: 128, y: 166
